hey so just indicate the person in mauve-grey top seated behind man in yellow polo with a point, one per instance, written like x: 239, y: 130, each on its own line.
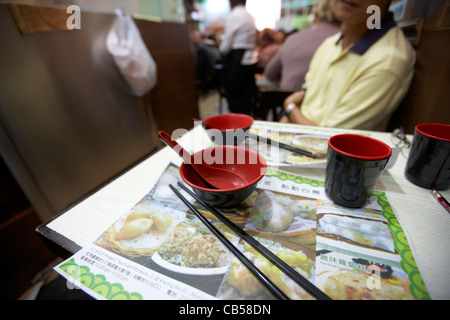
x: 291, y: 62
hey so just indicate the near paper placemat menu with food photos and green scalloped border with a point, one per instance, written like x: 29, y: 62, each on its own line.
x: 159, y: 250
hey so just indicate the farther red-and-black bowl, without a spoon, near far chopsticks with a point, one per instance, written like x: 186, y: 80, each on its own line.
x: 229, y: 128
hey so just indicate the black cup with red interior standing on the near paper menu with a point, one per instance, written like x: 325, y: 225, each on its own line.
x: 355, y: 163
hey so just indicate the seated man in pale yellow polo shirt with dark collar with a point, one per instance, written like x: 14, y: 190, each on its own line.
x: 358, y: 77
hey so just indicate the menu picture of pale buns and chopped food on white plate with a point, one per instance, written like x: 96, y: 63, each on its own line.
x: 161, y: 234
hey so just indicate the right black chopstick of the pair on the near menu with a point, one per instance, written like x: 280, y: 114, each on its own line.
x: 294, y: 275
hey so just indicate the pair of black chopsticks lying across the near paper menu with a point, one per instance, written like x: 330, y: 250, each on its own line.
x: 288, y: 270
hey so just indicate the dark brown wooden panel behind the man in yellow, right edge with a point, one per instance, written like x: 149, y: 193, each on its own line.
x: 428, y: 26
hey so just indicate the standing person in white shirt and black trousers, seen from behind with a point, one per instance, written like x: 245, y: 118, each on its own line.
x: 238, y: 47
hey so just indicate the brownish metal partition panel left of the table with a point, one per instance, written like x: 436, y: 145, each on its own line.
x: 68, y: 121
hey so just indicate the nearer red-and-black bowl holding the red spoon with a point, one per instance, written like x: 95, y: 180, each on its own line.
x: 245, y: 162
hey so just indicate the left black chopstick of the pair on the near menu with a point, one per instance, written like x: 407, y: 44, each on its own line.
x: 261, y: 276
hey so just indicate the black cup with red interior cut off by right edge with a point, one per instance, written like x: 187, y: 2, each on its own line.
x: 428, y: 163
